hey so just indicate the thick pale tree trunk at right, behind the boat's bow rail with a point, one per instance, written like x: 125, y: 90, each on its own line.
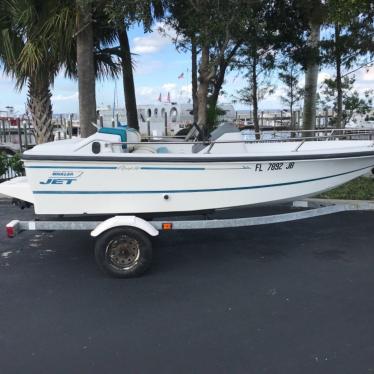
x: 311, y: 78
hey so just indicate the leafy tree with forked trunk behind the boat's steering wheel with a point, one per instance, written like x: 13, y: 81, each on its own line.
x: 215, y: 28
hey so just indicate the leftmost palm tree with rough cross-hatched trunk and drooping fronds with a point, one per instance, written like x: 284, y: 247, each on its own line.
x: 37, y: 40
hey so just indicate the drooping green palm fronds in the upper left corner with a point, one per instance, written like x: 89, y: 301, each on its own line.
x: 38, y: 37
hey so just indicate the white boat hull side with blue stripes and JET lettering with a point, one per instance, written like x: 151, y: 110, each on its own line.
x: 123, y: 187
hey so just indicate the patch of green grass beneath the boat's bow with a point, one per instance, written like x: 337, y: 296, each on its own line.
x: 359, y: 189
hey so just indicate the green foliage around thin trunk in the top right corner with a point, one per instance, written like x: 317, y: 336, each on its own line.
x: 347, y: 43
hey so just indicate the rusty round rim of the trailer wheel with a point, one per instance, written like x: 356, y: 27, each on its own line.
x: 123, y: 252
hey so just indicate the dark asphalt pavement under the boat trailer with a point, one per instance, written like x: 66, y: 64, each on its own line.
x: 286, y: 298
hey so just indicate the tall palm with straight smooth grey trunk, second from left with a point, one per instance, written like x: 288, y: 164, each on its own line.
x: 85, y: 55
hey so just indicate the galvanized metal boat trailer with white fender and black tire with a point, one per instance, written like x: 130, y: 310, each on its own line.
x: 123, y: 245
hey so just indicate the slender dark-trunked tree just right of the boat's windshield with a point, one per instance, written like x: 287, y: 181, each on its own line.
x: 268, y: 28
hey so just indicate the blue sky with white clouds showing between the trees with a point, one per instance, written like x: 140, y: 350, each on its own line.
x: 157, y: 67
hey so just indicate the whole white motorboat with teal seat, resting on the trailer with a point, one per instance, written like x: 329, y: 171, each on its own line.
x: 104, y: 175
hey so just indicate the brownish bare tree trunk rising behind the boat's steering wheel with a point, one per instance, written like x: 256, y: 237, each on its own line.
x: 202, y: 91
